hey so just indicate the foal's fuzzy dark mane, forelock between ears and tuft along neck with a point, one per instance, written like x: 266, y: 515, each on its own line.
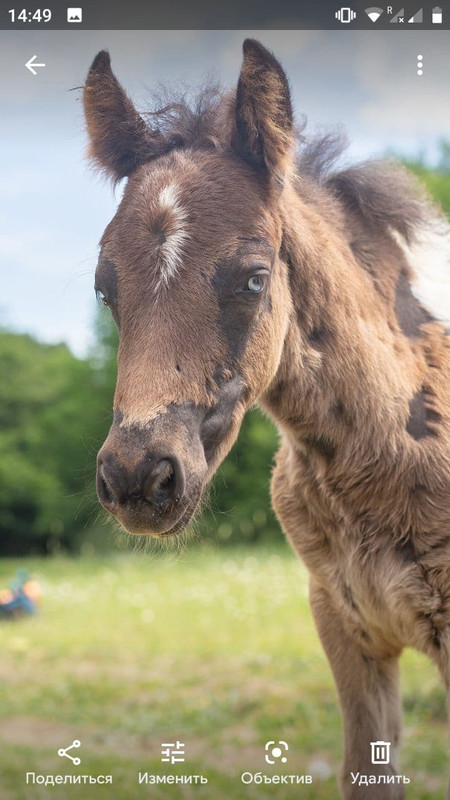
x: 382, y: 193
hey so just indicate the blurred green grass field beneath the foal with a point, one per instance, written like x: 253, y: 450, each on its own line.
x: 215, y: 648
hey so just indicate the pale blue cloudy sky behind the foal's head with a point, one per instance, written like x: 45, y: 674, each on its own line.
x: 53, y: 207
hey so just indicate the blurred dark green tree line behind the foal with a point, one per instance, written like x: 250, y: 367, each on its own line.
x: 55, y: 410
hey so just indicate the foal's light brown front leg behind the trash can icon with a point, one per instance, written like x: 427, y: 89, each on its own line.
x: 370, y: 699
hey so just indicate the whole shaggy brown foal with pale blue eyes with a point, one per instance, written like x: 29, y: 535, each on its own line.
x: 284, y: 283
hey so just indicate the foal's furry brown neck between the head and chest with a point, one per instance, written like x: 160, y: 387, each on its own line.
x: 350, y: 377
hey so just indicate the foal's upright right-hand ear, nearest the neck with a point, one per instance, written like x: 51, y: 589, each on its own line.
x: 264, y: 130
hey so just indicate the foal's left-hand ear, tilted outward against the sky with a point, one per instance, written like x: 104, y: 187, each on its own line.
x: 120, y: 140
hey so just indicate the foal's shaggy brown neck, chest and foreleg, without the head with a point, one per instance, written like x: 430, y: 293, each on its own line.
x: 361, y: 484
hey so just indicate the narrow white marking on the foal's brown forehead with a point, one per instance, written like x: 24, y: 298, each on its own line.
x: 171, y: 250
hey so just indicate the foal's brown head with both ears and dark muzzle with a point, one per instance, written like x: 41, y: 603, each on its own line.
x: 190, y: 267
